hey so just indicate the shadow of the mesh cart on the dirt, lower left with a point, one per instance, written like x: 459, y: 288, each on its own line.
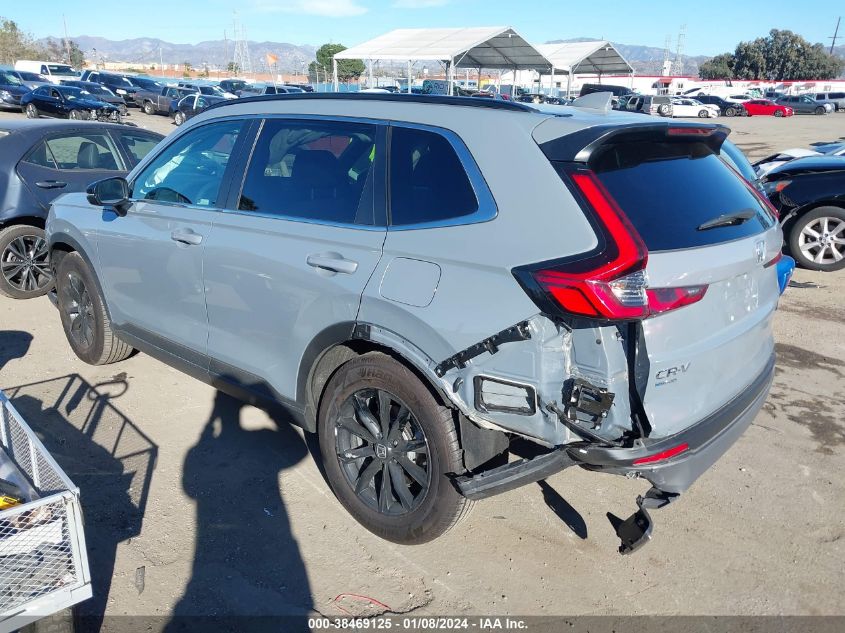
x: 107, y: 456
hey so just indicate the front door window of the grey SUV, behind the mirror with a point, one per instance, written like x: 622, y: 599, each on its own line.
x: 190, y: 170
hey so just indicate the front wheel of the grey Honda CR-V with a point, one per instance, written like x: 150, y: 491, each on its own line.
x: 86, y: 324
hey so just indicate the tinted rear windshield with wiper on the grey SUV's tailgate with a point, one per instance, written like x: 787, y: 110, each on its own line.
x: 670, y: 189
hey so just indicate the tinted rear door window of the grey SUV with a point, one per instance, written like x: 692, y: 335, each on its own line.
x: 315, y: 170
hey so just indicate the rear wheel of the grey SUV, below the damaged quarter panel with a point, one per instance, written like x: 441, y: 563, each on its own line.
x: 429, y: 505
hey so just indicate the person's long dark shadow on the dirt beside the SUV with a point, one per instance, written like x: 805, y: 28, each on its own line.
x: 247, y: 573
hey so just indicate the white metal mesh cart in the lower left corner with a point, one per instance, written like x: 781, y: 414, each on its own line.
x: 43, y: 559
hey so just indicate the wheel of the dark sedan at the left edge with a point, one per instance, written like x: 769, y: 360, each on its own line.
x: 24, y: 262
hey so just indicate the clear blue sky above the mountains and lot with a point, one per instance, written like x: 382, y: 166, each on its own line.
x: 712, y: 27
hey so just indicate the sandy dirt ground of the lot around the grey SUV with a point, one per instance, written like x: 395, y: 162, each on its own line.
x: 197, y: 504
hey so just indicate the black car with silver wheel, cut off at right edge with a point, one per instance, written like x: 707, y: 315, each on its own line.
x: 809, y: 194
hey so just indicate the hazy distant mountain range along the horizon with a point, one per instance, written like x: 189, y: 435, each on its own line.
x: 646, y: 60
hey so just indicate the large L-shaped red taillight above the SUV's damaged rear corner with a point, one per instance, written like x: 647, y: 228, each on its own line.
x: 613, y: 284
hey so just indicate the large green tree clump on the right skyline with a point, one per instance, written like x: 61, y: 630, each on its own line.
x: 782, y: 56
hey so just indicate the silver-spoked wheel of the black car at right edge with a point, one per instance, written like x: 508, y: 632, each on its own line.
x: 805, y: 247
